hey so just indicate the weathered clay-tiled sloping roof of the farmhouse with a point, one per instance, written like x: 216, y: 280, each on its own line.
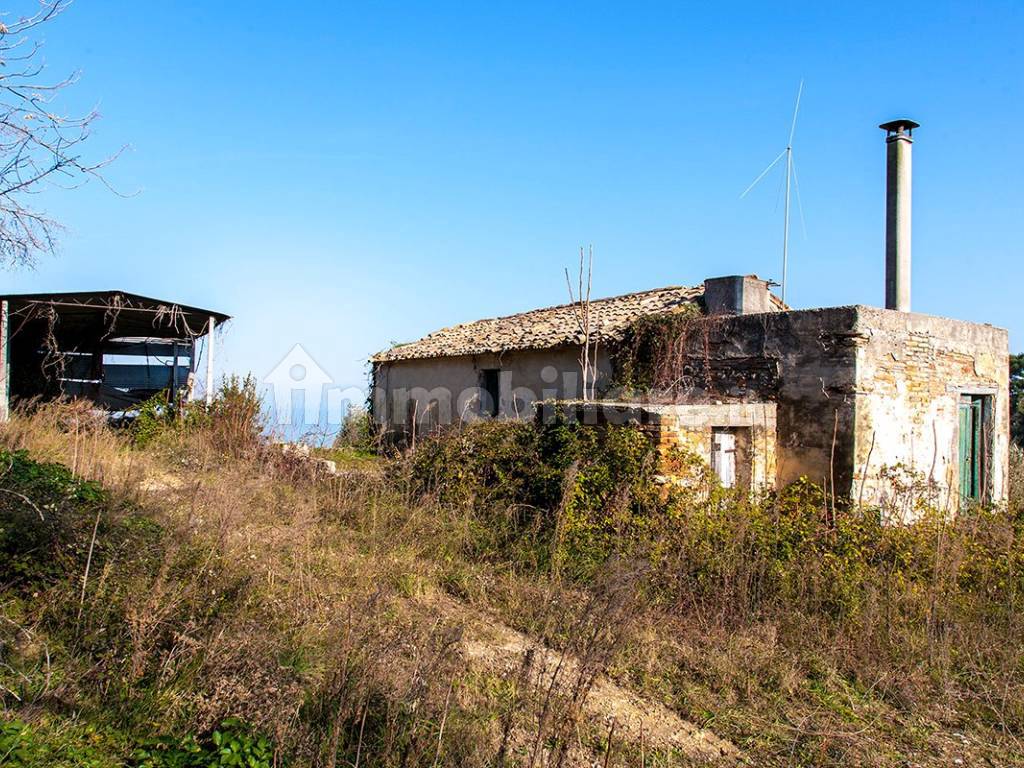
x: 543, y: 329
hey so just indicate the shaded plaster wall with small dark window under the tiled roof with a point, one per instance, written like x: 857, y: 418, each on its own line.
x: 449, y: 390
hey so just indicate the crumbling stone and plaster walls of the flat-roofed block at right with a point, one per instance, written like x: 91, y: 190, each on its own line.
x: 845, y: 378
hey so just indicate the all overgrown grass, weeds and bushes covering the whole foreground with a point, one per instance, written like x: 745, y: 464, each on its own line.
x: 370, y: 619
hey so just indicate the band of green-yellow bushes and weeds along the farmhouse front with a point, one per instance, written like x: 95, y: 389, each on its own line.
x: 919, y: 613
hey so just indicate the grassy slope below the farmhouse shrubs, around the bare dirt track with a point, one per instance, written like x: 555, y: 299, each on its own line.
x: 327, y: 614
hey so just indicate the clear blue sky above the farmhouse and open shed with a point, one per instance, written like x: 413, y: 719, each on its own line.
x: 345, y: 176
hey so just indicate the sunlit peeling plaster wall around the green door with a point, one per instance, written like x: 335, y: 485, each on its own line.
x: 912, y: 370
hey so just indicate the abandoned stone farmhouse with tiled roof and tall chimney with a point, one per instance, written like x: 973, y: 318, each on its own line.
x: 856, y: 399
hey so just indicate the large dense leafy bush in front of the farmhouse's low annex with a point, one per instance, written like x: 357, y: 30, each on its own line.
x: 563, y: 495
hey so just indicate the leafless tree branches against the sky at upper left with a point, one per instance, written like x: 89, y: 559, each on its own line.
x: 39, y: 147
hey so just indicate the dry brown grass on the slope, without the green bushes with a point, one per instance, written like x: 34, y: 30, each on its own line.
x: 333, y: 614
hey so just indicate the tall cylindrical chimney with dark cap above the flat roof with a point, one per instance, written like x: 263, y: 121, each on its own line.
x: 899, y: 144
